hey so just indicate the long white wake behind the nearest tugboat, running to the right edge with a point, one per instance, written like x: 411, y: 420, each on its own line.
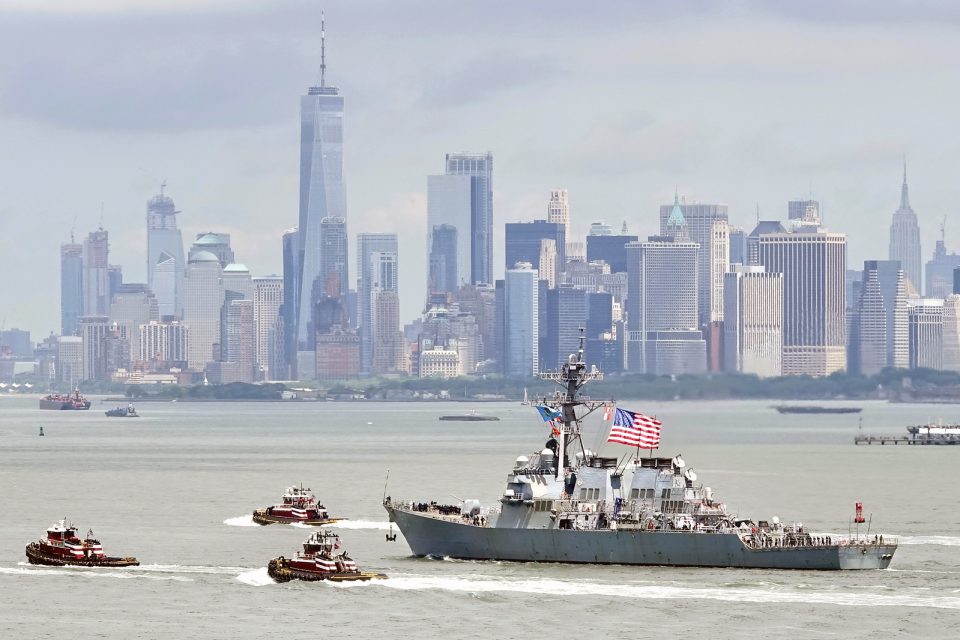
x: 662, y: 592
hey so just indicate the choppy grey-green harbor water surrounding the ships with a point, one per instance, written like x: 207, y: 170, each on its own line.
x: 176, y: 487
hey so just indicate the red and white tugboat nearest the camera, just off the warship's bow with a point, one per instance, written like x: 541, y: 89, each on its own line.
x: 321, y: 559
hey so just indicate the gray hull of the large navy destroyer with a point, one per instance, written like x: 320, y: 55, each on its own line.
x: 431, y: 536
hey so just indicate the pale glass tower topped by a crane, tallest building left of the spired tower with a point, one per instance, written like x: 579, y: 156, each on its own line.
x: 165, y: 262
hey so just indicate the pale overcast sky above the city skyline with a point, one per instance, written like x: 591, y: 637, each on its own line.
x: 746, y: 103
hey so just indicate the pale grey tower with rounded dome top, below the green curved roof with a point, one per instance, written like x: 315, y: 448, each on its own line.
x: 202, y: 302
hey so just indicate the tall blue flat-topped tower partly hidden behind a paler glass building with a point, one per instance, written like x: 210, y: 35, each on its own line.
x: 480, y: 169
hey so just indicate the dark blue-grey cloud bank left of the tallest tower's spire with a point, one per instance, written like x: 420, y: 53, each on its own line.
x: 123, y: 85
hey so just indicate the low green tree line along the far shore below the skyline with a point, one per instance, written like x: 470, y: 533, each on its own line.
x: 918, y: 384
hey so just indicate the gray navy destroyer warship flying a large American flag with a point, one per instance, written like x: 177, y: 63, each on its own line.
x: 567, y: 503
